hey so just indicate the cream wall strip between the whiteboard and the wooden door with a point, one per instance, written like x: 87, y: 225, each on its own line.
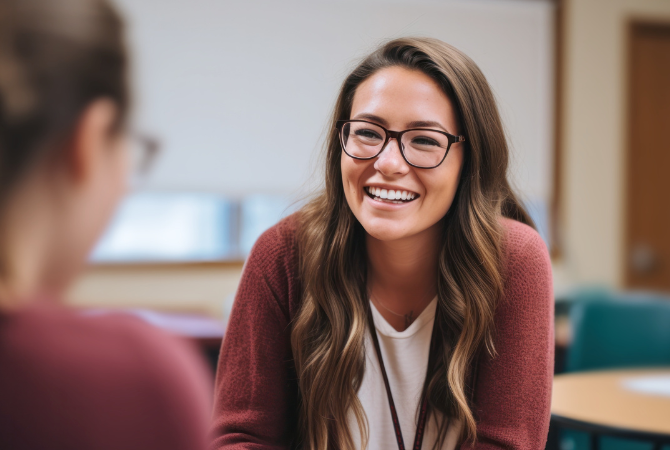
x: 594, y: 117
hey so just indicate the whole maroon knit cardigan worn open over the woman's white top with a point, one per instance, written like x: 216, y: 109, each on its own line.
x: 256, y: 394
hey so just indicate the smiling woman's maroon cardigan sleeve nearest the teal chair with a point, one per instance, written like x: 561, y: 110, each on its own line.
x: 513, y: 390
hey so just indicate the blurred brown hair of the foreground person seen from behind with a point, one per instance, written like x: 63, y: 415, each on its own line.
x: 56, y: 57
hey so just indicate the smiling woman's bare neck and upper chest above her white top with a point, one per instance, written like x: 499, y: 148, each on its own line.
x: 403, y: 274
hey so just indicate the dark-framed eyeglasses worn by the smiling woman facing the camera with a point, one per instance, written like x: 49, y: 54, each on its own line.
x: 422, y: 148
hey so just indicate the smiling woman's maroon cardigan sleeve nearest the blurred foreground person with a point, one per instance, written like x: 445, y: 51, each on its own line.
x: 255, y: 405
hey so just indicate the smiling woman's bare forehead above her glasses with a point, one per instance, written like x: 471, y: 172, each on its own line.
x: 401, y: 96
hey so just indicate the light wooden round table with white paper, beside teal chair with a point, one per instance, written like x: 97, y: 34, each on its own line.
x: 629, y: 404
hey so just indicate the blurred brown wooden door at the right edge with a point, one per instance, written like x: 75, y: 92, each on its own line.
x: 648, y: 159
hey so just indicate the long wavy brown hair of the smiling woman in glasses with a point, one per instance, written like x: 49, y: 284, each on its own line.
x: 329, y: 330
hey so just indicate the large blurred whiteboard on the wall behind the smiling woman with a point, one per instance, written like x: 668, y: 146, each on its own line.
x: 239, y: 92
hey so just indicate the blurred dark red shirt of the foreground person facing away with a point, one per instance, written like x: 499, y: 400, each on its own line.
x: 73, y: 382
